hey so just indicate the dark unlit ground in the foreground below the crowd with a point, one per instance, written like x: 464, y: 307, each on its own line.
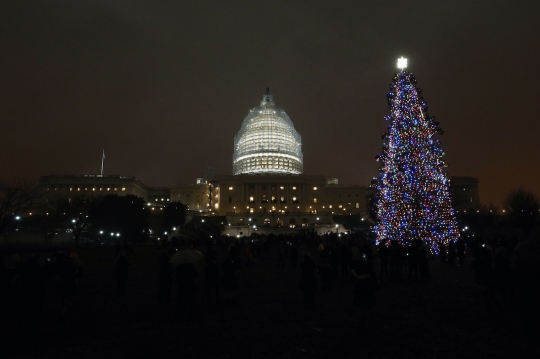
x: 442, y: 317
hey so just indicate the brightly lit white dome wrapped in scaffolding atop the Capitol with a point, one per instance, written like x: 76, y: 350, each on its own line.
x: 267, y: 142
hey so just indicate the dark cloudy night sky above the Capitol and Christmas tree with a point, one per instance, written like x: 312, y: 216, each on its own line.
x: 163, y: 86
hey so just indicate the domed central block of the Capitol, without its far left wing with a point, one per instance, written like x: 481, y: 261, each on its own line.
x: 268, y: 187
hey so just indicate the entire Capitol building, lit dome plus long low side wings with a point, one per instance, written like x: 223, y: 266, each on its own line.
x: 267, y: 189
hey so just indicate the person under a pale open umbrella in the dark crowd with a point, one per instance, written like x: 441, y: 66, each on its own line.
x: 185, y: 281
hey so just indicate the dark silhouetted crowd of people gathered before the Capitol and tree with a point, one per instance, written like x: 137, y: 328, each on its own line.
x: 506, y: 272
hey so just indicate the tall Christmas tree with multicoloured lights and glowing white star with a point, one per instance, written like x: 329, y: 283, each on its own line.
x: 412, y: 195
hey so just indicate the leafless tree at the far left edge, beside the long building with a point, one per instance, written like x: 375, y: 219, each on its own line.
x: 18, y: 197
